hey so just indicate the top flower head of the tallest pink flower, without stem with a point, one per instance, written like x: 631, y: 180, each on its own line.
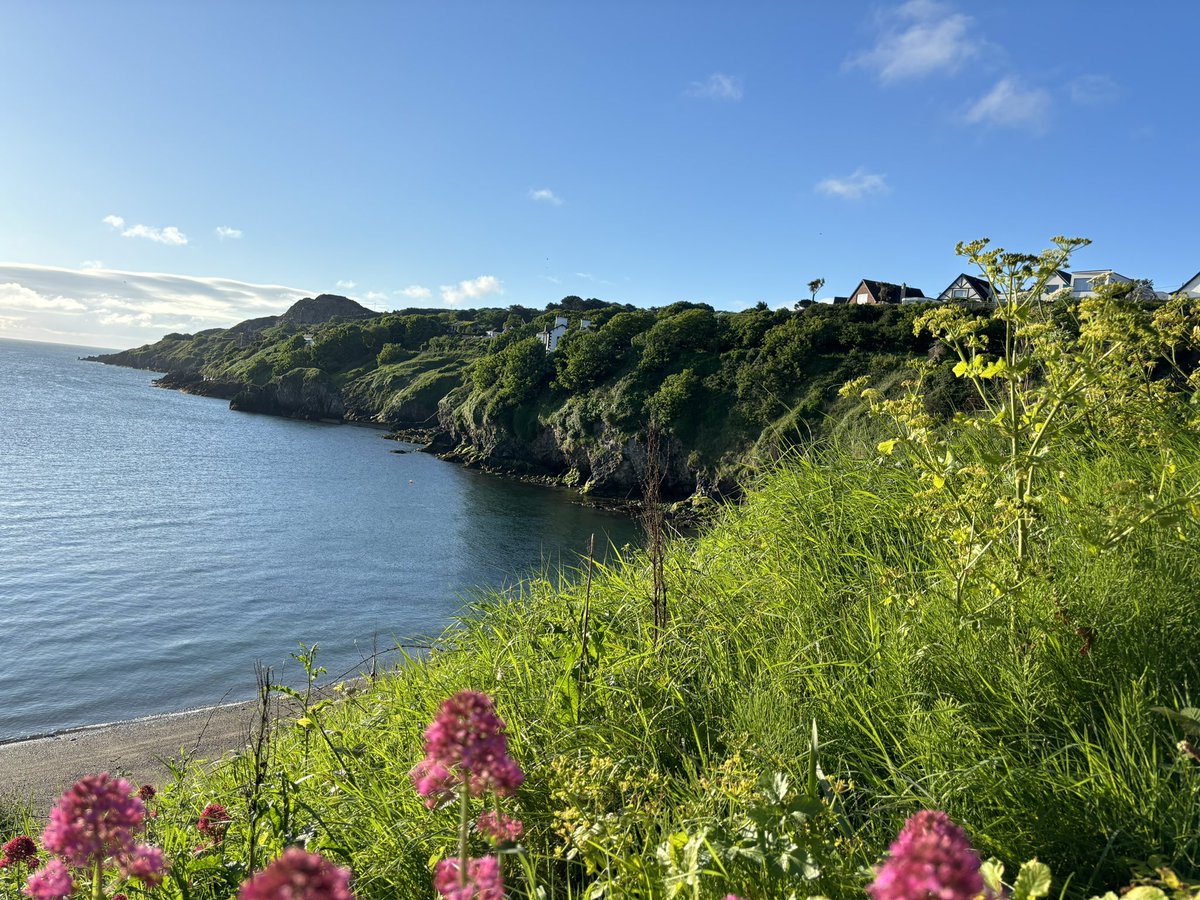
x: 466, y: 745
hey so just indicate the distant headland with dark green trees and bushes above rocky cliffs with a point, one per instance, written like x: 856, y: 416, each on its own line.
x: 728, y: 389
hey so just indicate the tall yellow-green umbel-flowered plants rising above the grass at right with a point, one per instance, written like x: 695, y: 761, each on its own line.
x: 1049, y: 381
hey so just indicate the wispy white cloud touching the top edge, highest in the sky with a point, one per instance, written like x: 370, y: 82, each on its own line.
x: 919, y: 39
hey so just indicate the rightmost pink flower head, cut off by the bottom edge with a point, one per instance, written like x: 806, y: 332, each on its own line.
x: 931, y: 860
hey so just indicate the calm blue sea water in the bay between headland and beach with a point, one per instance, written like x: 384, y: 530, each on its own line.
x: 154, y: 545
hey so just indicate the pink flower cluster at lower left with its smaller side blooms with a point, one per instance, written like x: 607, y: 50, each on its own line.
x: 95, y: 823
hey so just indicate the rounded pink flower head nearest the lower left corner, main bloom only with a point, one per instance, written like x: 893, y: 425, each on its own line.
x: 95, y: 820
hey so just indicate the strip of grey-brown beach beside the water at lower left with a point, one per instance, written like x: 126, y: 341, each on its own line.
x: 39, y: 771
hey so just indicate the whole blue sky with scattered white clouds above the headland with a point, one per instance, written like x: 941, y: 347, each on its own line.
x: 184, y: 166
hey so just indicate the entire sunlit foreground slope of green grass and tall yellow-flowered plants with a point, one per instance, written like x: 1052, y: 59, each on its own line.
x: 991, y: 614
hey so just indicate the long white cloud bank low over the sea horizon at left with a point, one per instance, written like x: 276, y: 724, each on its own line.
x: 110, y: 308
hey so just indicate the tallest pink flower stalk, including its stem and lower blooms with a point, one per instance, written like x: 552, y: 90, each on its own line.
x: 467, y: 758
